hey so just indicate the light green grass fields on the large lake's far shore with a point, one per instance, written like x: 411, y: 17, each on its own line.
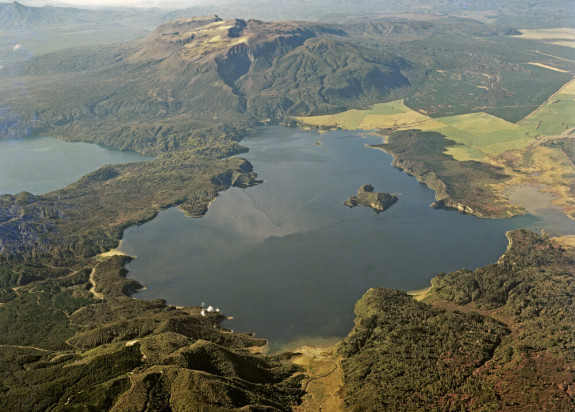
x: 477, y: 135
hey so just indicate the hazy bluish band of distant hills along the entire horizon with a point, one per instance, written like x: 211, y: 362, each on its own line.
x: 539, y: 14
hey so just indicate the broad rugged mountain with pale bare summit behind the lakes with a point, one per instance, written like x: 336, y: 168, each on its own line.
x: 197, y: 72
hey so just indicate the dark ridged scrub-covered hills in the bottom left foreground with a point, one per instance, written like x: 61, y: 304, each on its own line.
x: 72, y: 349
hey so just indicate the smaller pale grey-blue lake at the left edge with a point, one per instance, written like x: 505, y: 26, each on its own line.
x: 41, y: 164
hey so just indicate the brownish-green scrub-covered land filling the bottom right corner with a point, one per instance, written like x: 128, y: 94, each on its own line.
x: 474, y: 343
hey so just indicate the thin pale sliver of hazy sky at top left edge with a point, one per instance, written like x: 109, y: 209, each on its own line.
x: 119, y: 3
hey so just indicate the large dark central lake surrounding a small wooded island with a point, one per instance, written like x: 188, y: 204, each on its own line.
x: 287, y: 260
